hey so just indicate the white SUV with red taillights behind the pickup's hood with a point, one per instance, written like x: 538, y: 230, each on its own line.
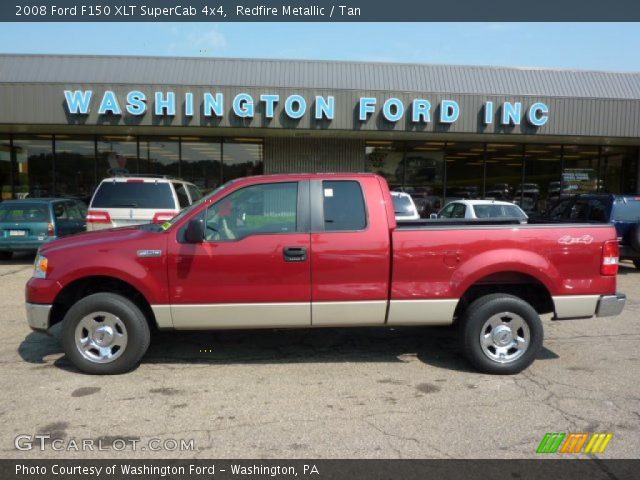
x: 133, y: 200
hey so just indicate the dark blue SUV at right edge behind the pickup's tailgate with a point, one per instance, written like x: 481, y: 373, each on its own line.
x: 623, y: 211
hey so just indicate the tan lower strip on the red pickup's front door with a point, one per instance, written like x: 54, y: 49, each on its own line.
x: 241, y: 315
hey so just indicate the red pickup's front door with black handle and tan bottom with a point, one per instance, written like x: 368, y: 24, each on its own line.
x: 252, y: 268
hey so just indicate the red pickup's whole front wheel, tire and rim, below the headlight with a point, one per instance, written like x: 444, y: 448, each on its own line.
x: 105, y: 334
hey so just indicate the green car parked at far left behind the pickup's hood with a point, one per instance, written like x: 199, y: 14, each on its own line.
x: 27, y: 224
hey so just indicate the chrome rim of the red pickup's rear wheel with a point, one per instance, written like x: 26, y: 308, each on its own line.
x: 505, y: 337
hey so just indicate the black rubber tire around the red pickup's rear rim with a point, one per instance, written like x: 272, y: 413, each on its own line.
x: 474, y: 319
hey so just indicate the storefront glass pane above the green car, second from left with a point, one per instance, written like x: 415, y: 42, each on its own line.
x: 34, y: 159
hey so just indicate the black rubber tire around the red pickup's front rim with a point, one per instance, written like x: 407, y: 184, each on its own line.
x: 131, y: 317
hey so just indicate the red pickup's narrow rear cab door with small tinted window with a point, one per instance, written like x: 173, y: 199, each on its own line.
x: 350, y: 253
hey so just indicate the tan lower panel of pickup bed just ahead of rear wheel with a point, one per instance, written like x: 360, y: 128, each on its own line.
x: 421, y: 312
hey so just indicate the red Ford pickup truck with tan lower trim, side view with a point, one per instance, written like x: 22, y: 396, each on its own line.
x: 319, y: 250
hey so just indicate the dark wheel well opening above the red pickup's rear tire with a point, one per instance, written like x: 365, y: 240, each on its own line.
x: 521, y: 285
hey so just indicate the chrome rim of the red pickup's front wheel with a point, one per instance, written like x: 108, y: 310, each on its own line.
x: 101, y: 337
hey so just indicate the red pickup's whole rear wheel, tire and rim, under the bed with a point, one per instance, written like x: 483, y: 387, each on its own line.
x: 502, y: 334
